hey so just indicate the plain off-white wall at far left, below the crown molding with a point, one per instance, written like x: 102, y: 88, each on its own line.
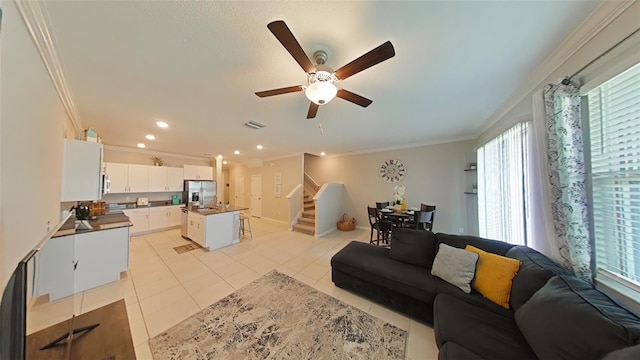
x: 32, y: 126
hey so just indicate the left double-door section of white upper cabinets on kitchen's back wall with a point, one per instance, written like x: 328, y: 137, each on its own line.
x: 127, y: 177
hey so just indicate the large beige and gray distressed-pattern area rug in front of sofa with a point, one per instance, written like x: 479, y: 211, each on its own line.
x: 278, y: 317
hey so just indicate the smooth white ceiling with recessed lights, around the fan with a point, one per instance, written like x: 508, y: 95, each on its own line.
x: 196, y: 65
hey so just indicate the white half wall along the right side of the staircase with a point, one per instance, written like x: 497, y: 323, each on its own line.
x: 329, y: 207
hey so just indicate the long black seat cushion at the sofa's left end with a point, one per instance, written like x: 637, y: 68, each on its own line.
x: 372, y: 264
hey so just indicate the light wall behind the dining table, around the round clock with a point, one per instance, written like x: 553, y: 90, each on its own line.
x: 435, y: 176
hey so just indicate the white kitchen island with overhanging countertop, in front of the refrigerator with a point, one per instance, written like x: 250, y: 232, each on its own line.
x: 214, y: 228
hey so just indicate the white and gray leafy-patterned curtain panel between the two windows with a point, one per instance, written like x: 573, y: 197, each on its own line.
x: 567, y: 176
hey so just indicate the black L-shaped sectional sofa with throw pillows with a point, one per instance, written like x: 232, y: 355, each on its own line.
x: 548, y: 314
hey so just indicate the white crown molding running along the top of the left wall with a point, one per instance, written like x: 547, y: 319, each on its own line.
x: 34, y: 15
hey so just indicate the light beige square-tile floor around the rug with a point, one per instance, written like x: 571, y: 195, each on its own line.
x: 163, y: 287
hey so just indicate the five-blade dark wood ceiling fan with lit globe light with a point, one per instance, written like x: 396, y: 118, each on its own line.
x: 321, y: 79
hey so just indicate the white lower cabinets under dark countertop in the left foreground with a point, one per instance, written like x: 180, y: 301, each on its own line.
x: 70, y: 264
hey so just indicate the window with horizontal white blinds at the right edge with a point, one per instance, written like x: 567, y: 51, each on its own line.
x: 614, y: 132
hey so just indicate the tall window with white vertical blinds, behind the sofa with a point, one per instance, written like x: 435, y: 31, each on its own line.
x: 502, y: 167
